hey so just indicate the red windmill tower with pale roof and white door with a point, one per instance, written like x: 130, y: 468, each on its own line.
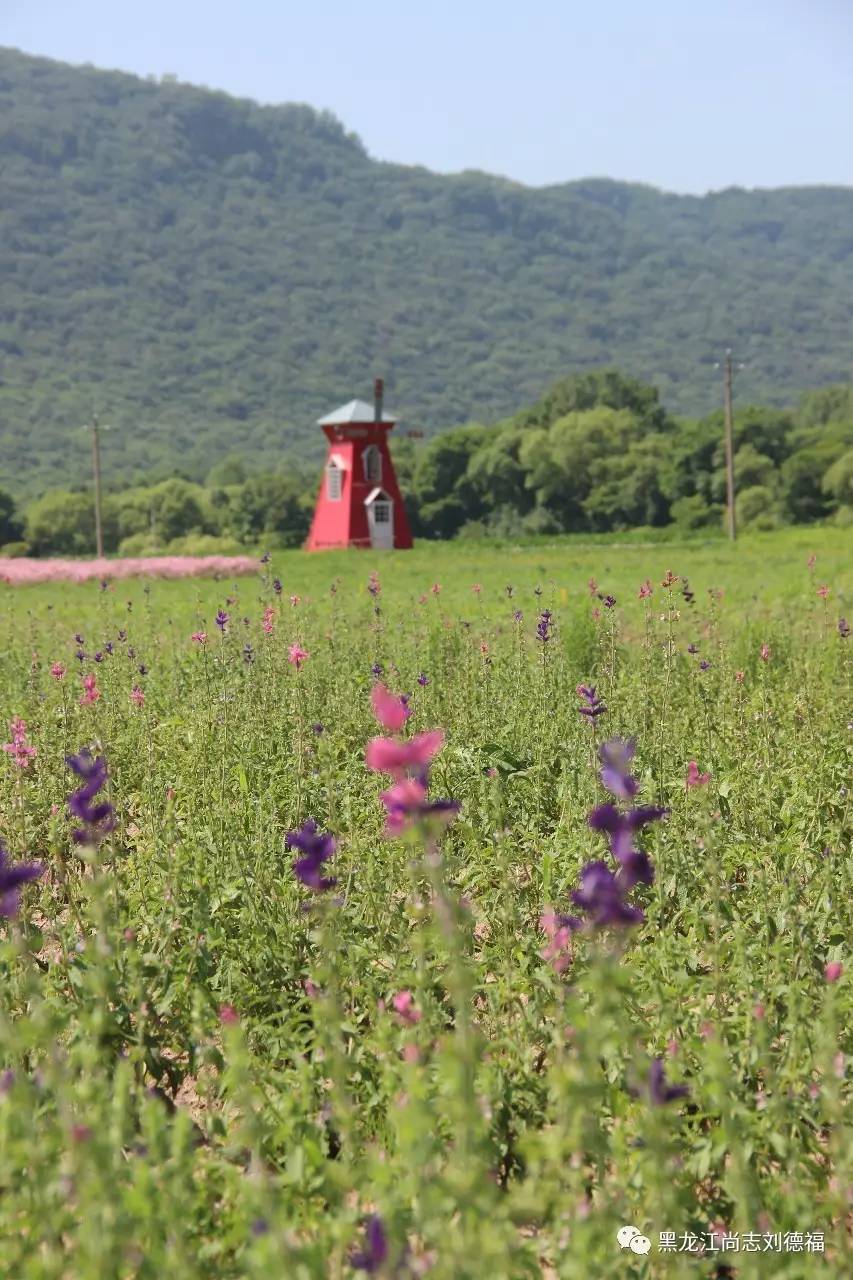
x: 359, y: 504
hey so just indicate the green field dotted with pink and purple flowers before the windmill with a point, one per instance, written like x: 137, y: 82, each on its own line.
x: 464, y: 913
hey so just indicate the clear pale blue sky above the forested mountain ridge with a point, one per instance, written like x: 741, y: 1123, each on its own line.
x: 688, y: 95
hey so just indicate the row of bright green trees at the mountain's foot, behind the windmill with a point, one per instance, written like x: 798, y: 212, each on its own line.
x: 597, y: 454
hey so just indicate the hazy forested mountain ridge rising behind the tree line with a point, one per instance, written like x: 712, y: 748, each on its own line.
x: 213, y: 276
